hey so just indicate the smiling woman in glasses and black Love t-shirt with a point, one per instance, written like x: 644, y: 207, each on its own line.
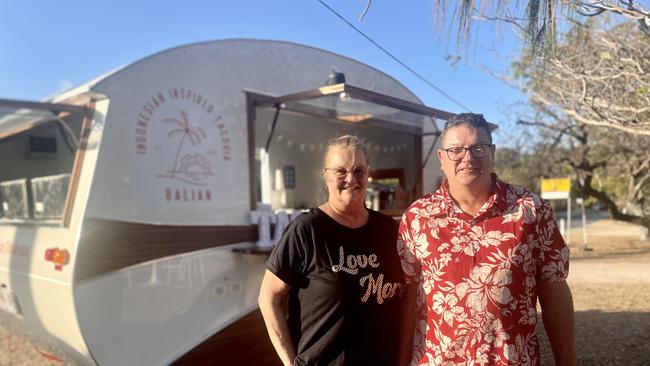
x: 330, y: 294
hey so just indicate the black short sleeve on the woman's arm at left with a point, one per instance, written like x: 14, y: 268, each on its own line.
x: 287, y: 260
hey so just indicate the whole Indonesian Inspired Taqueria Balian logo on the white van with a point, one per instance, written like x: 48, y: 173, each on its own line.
x: 188, y: 138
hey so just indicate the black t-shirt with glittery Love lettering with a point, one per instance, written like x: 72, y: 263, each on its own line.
x: 344, y: 305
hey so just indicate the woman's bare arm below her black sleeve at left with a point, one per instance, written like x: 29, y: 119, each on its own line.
x: 273, y: 301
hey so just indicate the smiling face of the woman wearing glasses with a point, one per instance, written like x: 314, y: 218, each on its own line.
x: 346, y: 176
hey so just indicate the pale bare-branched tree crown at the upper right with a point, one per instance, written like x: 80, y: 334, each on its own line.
x: 598, y: 76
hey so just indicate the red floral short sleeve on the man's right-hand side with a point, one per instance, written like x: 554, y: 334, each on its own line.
x: 554, y: 254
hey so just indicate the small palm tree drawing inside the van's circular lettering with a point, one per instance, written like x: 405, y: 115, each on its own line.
x: 193, y: 166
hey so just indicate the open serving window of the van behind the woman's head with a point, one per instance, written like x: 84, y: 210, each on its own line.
x: 293, y: 130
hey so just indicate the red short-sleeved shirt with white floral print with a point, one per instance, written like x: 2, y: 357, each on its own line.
x: 477, y: 295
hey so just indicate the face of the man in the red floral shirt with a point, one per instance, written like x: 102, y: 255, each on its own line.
x: 468, y: 171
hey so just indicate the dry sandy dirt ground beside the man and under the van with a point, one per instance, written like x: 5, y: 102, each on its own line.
x: 611, y: 293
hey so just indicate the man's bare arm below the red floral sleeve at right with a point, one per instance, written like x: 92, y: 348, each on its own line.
x: 557, y: 313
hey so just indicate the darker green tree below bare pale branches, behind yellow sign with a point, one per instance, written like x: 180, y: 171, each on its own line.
x: 604, y: 164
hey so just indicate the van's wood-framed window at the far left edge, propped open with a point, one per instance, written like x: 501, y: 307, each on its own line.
x: 38, y: 145
